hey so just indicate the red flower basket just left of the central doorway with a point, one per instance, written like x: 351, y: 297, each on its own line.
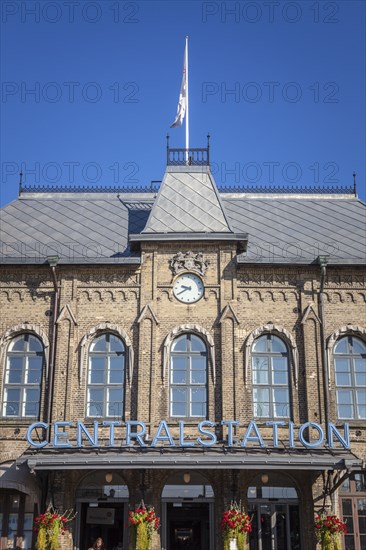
x: 143, y: 522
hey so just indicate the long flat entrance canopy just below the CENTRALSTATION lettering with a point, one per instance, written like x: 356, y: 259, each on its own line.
x: 218, y: 458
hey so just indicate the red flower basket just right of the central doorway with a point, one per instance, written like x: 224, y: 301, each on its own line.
x: 236, y: 524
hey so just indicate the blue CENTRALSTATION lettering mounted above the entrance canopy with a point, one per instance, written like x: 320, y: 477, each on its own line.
x: 124, y: 434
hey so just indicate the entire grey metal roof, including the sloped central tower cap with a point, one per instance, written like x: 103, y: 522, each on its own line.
x: 95, y: 227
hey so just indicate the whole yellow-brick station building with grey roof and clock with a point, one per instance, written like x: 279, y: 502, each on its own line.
x: 185, y: 348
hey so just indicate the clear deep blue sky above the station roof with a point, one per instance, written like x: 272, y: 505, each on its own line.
x: 90, y: 88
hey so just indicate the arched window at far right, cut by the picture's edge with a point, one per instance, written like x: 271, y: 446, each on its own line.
x: 350, y: 377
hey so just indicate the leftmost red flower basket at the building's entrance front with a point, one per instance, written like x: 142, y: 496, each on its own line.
x: 50, y: 526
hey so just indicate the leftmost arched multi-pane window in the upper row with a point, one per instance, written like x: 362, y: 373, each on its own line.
x: 23, y: 377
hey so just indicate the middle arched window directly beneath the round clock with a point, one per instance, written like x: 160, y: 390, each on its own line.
x: 188, y: 377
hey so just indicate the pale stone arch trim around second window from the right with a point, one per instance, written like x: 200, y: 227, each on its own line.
x: 282, y: 333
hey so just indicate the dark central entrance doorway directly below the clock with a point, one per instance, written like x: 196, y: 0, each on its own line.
x: 188, y: 526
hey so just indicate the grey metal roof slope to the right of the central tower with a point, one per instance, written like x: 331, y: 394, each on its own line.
x: 299, y: 229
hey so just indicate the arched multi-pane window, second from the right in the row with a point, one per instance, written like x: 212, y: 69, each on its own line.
x: 270, y: 377
